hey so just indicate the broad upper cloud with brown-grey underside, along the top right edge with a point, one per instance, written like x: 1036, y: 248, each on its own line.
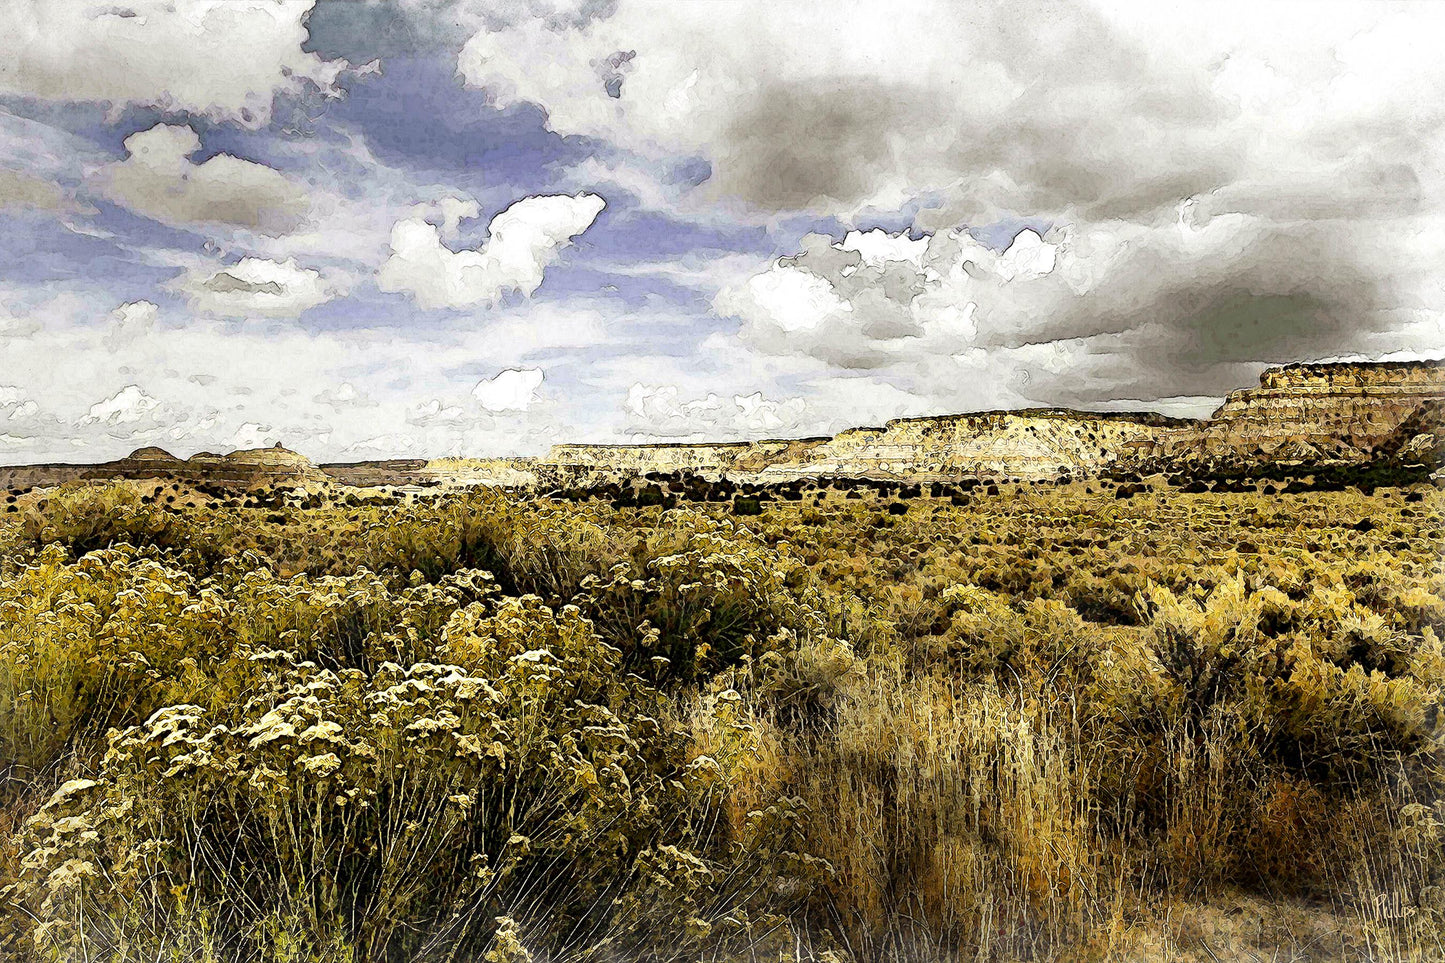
x: 1001, y: 106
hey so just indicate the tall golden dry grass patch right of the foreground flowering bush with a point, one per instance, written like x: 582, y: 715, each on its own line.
x: 957, y: 822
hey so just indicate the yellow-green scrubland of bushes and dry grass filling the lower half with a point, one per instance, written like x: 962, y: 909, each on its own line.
x: 1044, y: 725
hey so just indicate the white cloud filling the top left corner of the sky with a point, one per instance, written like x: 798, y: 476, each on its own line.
x: 220, y: 60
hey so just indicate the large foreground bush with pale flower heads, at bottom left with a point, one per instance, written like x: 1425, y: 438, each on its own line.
x: 522, y: 796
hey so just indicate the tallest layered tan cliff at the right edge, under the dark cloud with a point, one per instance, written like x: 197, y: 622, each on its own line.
x: 1319, y: 414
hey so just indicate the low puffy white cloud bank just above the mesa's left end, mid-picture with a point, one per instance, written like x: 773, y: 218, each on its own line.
x: 658, y: 411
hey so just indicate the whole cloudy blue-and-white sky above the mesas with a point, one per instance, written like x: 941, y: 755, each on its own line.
x: 375, y: 229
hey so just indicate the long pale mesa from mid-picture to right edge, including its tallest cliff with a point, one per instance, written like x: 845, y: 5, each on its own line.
x: 1304, y: 416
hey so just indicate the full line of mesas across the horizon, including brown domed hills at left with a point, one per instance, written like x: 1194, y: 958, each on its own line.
x: 1300, y: 417
